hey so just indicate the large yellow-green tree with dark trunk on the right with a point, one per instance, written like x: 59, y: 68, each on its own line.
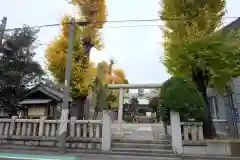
x: 193, y: 49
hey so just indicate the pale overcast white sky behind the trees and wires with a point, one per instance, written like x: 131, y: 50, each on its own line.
x: 136, y: 49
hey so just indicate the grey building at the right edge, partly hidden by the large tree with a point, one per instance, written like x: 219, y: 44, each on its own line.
x: 220, y: 104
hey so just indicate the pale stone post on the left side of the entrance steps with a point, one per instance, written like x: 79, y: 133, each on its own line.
x: 106, y: 132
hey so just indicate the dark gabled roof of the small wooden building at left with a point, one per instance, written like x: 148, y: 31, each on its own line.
x: 51, y: 91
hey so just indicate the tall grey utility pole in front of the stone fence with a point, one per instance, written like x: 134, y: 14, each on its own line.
x: 65, y: 108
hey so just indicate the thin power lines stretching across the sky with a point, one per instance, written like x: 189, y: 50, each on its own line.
x: 119, y: 21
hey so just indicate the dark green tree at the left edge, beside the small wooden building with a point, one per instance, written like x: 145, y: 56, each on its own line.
x: 17, y: 67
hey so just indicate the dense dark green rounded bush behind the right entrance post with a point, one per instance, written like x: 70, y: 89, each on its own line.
x: 181, y: 96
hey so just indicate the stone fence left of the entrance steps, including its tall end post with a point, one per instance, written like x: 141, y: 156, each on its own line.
x: 40, y: 132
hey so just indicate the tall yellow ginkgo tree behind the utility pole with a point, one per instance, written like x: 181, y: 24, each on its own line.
x: 86, y: 37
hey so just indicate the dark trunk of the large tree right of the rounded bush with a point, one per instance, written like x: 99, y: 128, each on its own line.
x: 201, y: 82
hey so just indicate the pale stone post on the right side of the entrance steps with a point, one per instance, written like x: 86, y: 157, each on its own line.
x: 176, y: 132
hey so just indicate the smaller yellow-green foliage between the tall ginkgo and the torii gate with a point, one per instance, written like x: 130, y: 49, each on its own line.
x: 102, y: 97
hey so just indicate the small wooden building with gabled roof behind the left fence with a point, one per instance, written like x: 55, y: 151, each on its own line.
x: 41, y: 101
